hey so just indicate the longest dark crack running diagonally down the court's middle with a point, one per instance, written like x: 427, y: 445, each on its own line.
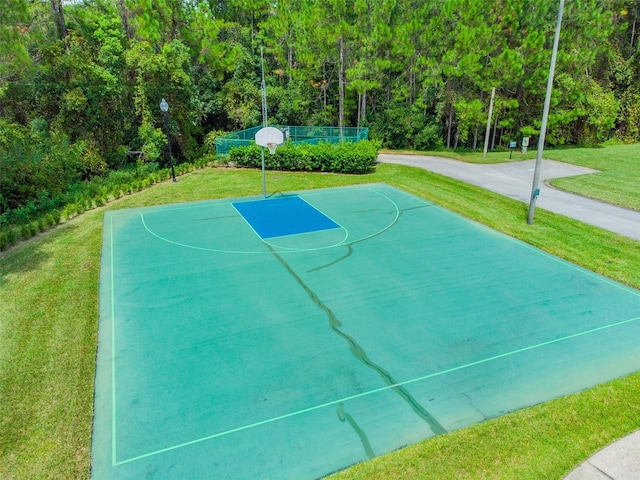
x: 361, y: 354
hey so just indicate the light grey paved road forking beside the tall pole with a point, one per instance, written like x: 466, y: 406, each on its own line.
x: 514, y: 179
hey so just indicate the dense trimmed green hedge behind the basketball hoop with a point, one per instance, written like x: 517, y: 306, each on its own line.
x: 344, y: 157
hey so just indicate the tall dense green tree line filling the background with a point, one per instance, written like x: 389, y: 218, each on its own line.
x: 81, y: 81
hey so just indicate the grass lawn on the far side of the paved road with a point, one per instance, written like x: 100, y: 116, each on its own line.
x: 619, y: 182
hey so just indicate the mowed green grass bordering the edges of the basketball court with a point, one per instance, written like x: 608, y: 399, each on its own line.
x: 49, y: 322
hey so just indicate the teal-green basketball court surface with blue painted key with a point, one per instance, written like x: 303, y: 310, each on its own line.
x: 353, y: 322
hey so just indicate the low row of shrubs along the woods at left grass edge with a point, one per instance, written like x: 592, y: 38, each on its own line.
x: 22, y: 224
